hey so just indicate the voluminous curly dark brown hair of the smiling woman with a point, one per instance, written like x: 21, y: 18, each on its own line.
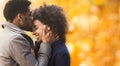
x: 52, y: 16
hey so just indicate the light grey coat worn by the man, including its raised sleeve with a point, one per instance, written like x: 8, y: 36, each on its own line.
x: 15, y: 49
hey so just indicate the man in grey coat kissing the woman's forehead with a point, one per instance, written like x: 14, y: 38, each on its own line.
x: 15, y: 49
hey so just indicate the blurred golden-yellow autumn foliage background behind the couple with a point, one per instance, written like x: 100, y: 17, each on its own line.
x: 94, y: 30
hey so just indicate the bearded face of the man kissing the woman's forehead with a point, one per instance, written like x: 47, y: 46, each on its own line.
x: 27, y: 21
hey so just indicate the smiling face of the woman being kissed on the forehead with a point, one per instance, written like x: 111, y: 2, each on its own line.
x: 37, y: 29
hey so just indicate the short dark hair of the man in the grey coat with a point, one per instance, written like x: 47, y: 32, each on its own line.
x: 13, y: 7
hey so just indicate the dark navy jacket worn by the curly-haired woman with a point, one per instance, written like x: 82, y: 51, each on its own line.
x: 60, y: 55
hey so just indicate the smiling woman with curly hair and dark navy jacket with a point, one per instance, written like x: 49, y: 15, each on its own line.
x: 53, y: 17
